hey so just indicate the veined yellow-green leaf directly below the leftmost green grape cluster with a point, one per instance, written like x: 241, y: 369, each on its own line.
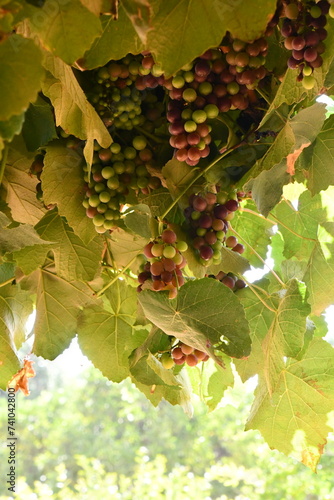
x: 74, y: 260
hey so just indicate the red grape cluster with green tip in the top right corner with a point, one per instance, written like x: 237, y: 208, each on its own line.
x: 304, y: 31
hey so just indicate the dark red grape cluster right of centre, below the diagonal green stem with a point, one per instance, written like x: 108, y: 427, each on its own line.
x: 208, y: 217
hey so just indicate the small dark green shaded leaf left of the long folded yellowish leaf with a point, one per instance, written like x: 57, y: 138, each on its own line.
x: 39, y: 127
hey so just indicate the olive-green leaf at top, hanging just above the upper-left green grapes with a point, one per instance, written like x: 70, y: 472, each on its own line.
x: 117, y: 40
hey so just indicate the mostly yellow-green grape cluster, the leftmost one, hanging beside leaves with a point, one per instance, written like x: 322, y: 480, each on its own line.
x: 116, y: 171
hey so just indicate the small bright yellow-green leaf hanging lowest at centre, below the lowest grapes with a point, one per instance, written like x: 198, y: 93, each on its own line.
x: 210, y: 381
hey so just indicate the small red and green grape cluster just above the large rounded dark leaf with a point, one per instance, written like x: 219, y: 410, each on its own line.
x: 163, y: 271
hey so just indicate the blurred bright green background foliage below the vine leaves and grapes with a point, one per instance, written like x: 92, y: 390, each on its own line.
x: 83, y: 437
